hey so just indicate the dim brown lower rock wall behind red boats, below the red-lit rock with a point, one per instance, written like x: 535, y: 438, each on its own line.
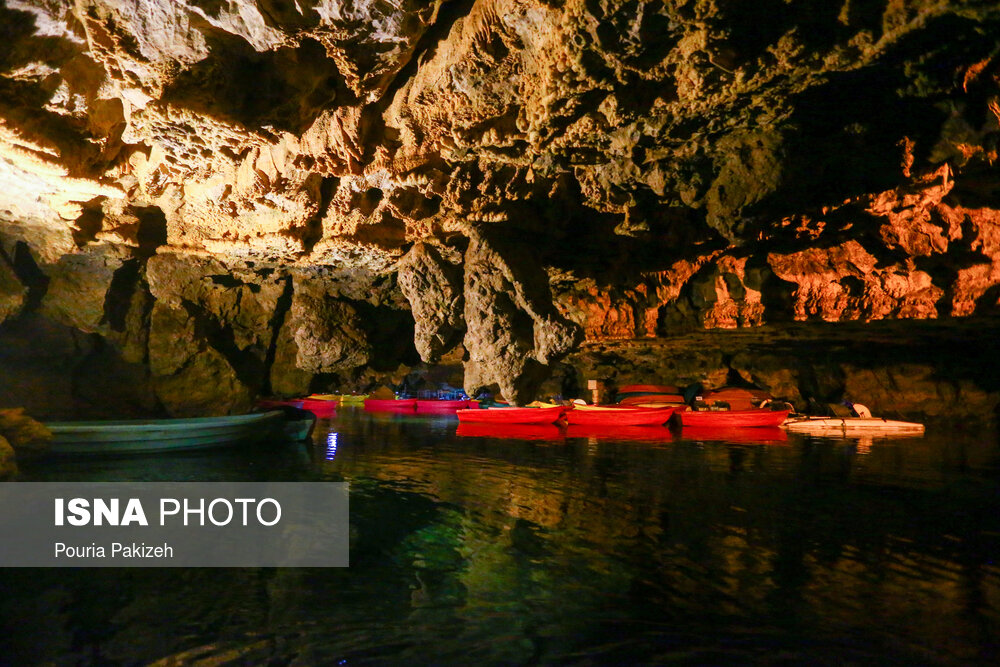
x: 917, y: 370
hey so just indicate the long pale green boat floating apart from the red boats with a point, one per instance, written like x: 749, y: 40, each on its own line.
x: 142, y: 436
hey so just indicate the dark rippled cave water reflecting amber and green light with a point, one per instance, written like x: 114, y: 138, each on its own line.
x: 545, y: 548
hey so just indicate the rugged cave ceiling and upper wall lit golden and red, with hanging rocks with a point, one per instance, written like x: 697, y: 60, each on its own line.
x: 266, y: 197
